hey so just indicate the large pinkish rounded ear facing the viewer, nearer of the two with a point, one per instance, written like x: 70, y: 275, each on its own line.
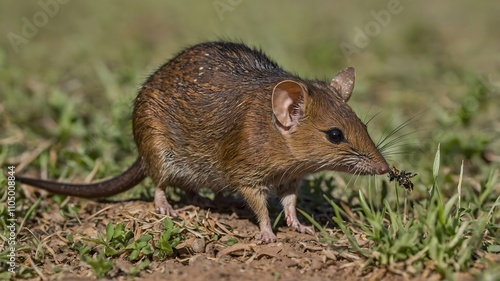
x: 288, y: 102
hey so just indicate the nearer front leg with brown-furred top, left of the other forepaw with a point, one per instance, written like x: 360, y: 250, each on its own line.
x: 256, y: 197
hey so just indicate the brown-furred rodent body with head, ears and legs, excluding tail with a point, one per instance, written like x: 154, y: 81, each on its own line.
x: 207, y: 119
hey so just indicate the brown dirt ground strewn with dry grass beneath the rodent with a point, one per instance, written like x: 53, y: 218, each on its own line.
x: 199, y: 257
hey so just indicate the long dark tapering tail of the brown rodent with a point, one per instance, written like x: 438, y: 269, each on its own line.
x: 125, y: 181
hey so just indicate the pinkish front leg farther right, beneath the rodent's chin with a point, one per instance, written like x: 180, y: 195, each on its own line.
x: 288, y: 196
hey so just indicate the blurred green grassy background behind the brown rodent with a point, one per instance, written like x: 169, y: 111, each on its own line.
x: 73, y: 81
